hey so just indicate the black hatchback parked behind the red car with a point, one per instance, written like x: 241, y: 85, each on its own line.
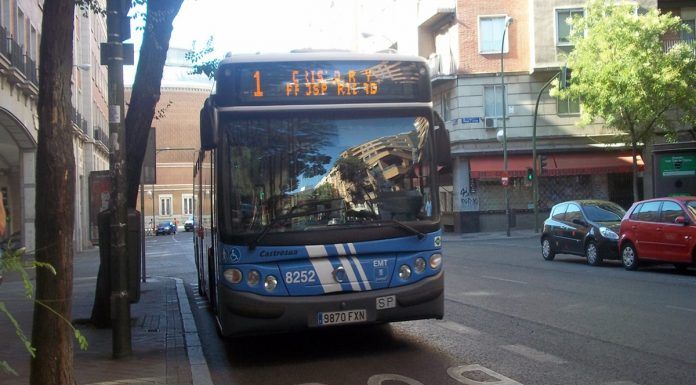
x: 583, y: 227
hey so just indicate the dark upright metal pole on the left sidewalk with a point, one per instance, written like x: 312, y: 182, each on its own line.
x: 114, y: 54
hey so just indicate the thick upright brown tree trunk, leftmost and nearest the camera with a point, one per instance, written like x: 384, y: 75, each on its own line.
x: 55, y: 199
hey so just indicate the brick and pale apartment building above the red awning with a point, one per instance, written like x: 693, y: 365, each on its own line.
x: 464, y: 43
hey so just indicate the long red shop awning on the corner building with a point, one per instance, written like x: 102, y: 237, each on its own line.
x: 488, y: 167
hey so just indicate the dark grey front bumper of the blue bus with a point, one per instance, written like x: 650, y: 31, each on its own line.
x: 242, y: 313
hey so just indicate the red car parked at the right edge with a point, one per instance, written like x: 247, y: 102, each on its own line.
x: 660, y: 230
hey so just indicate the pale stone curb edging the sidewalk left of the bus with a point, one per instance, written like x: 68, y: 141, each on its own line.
x: 200, y: 373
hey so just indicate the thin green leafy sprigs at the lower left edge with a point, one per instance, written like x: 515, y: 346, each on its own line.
x: 12, y: 261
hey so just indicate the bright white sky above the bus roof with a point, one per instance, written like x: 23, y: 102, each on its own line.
x: 250, y: 26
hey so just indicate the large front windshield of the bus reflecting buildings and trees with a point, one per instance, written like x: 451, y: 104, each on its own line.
x: 292, y: 173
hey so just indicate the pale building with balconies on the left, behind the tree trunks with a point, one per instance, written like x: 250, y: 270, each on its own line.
x: 20, y: 35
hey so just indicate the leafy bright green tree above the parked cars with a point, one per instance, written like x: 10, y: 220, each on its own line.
x: 622, y: 74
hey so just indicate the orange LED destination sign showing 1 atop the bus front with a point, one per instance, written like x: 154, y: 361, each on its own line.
x: 303, y: 82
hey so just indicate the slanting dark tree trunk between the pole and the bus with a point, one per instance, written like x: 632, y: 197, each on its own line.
x: 146, y: 88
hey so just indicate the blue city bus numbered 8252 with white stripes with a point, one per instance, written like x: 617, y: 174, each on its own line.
x: 317, y: 192
